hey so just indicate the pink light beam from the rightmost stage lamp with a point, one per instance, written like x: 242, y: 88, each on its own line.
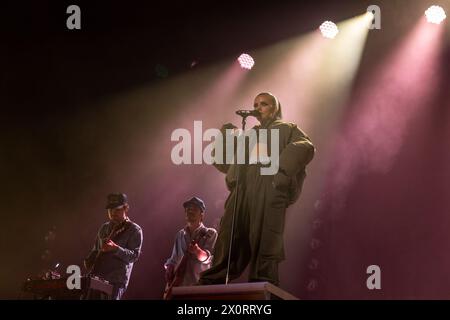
x: 383, y: 110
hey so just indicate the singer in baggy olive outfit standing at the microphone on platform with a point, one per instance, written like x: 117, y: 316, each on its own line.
x: 261, y: 201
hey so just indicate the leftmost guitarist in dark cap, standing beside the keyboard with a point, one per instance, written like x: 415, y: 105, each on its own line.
x: 117, y: 246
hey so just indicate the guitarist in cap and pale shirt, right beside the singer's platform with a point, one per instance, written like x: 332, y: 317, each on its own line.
x: 195, y: 243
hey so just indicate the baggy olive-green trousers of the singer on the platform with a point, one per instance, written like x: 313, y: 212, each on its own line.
x: 258, y: 232
